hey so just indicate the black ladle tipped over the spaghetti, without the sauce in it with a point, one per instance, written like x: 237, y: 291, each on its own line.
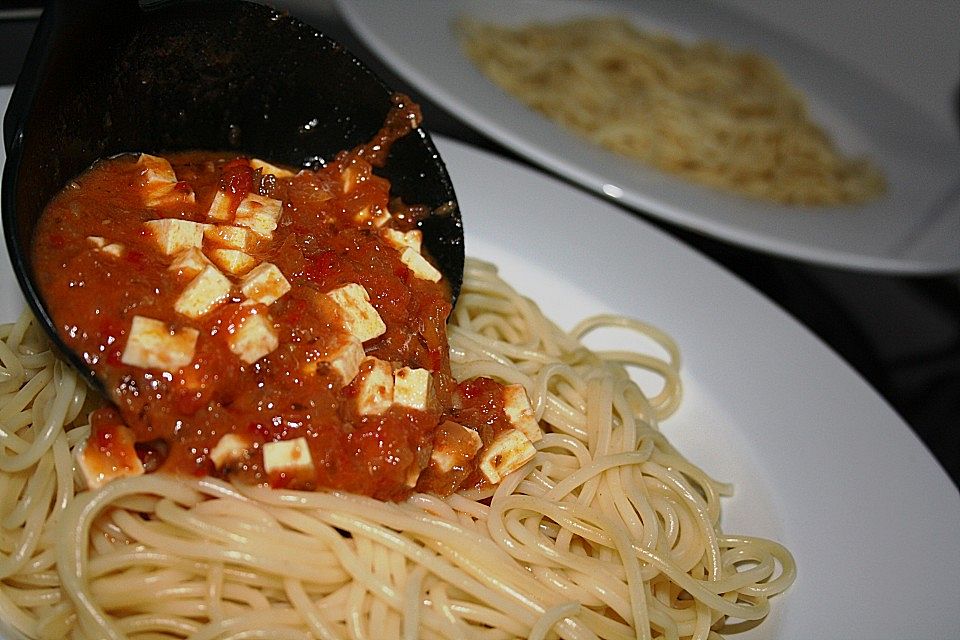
x: 110, y: 76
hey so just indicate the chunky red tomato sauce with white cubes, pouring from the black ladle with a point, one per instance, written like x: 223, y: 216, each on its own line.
x: 270, y: 325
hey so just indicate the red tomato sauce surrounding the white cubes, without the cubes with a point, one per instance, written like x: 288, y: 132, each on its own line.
x: 330, y: 232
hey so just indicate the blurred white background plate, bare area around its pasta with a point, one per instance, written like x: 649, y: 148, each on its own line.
x: 914, y: 228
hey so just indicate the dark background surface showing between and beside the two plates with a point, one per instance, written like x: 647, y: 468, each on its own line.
x: 902, y: 334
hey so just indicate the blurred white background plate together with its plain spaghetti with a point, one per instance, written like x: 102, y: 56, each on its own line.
x: 899, y: 212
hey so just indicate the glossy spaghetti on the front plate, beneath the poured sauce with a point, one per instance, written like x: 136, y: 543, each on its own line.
x: 607, y: 532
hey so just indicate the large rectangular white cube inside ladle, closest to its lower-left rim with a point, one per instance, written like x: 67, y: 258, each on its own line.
x: 154, y: 344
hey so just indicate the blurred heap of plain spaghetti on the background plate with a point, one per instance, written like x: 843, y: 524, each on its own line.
x: 726, y: 119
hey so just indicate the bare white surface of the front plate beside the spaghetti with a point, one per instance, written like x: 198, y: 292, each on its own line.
x: 818, y: 460
